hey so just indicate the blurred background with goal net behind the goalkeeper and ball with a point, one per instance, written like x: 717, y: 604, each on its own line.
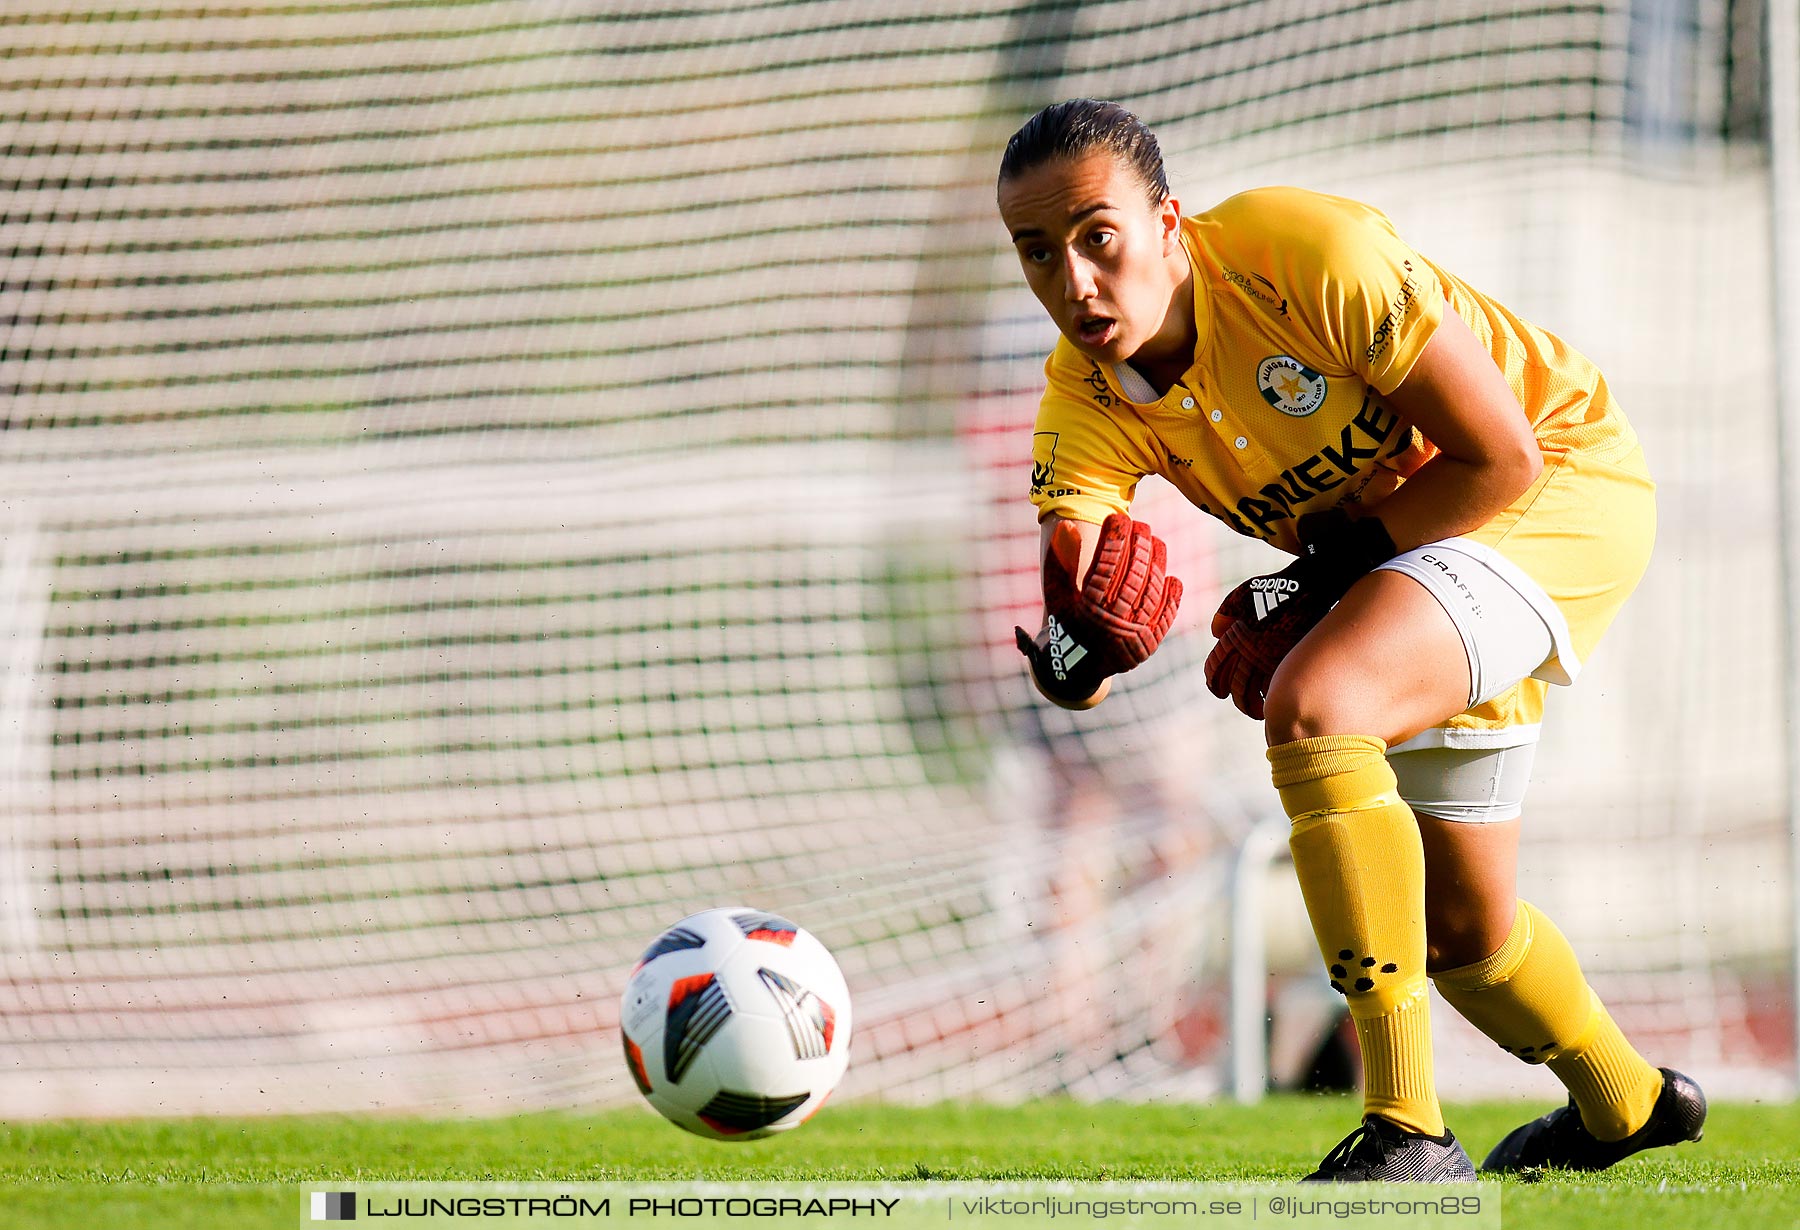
x: 487, y: 478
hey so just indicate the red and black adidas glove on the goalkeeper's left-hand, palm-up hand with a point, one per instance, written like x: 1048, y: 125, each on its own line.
x: 1110, y: 624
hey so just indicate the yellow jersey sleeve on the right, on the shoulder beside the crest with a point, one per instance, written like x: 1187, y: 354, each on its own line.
x: 1369, y: 300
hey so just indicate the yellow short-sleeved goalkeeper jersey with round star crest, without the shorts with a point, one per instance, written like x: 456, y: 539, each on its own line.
x: 1309, y: 309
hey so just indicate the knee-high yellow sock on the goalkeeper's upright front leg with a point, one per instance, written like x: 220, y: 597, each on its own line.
x: 1362, y: 871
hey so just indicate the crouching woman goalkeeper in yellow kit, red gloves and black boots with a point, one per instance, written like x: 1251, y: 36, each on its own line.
x: 1470, y: 511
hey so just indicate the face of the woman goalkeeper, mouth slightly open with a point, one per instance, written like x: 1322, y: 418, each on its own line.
x: 1095, y: 251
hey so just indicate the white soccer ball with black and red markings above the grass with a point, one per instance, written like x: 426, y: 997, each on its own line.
x: 737, y: 1024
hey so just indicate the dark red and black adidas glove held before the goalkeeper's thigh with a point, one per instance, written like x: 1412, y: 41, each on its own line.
x: 1264, y: 619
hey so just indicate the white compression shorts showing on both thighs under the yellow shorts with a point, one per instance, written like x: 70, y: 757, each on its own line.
x: 1506, y: 628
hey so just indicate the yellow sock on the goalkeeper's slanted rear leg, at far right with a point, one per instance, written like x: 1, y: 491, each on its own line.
x: 1533, y: 999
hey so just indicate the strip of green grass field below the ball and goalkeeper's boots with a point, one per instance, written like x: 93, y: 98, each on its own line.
x: 246, y: 1173
